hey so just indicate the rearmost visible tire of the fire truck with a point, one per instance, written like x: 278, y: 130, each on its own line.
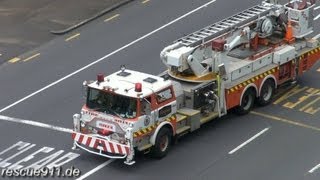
x: 267, y: 91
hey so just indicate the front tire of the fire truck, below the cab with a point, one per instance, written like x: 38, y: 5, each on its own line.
x: 162, y: 144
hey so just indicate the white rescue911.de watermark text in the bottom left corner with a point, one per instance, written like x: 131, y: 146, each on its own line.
x: 42, y: 172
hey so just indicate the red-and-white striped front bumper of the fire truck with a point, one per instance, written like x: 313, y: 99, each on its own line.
x: 99, y: 145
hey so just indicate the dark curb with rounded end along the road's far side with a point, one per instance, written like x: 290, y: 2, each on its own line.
x: 107, y: 10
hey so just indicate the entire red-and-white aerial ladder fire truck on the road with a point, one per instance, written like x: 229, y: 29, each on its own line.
x: 229, y: 65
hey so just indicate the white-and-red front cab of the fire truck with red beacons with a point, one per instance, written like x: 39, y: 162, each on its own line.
x: 124, y: 112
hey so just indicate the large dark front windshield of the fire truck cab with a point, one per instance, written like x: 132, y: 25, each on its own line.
x: 122, y: 106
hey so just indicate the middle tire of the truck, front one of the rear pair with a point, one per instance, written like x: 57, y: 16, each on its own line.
x: 247, y: 102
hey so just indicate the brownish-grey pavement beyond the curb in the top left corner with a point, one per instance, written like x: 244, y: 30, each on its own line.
x: 27, y: 24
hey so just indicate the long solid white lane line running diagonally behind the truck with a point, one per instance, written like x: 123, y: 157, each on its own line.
x: 106, y: 56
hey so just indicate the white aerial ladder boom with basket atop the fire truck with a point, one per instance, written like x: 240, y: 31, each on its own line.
x: 197, y: 56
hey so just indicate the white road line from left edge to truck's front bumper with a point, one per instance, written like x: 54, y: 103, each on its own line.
x: 35, y: 123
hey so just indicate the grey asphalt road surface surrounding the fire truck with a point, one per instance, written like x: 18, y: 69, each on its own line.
x: 286, y: 133
